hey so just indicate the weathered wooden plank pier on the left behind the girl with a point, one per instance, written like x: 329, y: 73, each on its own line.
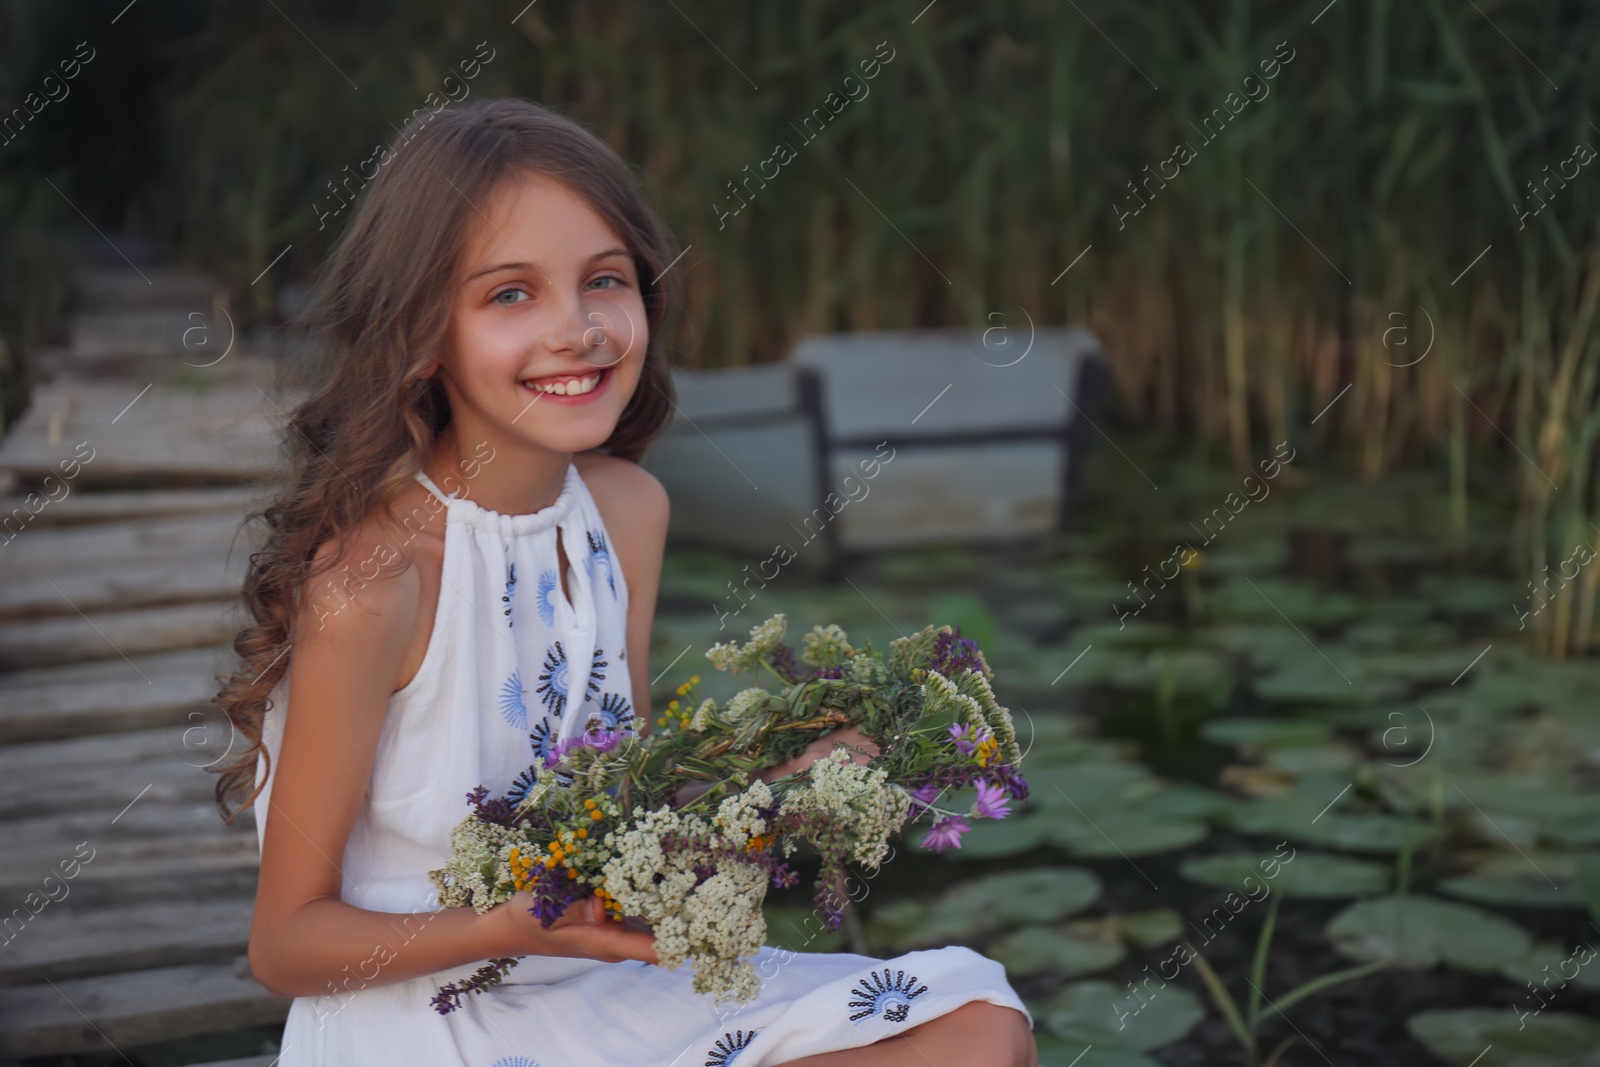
x: 124, y: 900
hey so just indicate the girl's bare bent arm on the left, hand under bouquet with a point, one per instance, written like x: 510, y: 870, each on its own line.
x: 305, y: 941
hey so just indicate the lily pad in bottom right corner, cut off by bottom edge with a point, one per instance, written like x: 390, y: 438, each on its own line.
x: 1495, y: 1037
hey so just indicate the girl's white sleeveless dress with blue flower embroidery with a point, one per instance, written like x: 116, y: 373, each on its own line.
x: 513, y: 668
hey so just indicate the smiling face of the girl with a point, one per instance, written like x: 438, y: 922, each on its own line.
x: 548, y: 327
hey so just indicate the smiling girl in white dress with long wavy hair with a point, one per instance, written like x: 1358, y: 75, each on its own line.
x: 462, y: 575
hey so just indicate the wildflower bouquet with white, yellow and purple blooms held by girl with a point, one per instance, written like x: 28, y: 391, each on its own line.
x: 607, y: 813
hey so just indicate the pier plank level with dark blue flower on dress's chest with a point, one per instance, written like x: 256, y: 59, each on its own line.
x: 110, y: 697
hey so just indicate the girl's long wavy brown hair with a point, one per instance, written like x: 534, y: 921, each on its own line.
x: 378, y: 314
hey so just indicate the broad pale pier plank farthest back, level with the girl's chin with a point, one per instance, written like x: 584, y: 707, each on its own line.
x: 119, y: 433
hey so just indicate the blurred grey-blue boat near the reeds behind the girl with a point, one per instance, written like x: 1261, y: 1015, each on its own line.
x: 873, y: 441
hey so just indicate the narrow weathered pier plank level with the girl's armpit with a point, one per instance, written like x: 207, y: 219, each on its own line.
x: 116, y: 634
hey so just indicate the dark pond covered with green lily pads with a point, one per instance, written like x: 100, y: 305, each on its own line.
x: 1302, y: 801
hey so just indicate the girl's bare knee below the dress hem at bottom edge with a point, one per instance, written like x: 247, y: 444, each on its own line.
x: 978, y: 1034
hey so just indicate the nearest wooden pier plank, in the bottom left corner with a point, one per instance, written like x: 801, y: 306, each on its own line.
x: 135, y: 1009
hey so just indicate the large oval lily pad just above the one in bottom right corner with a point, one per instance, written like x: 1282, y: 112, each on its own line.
x: 1425, y: 932
